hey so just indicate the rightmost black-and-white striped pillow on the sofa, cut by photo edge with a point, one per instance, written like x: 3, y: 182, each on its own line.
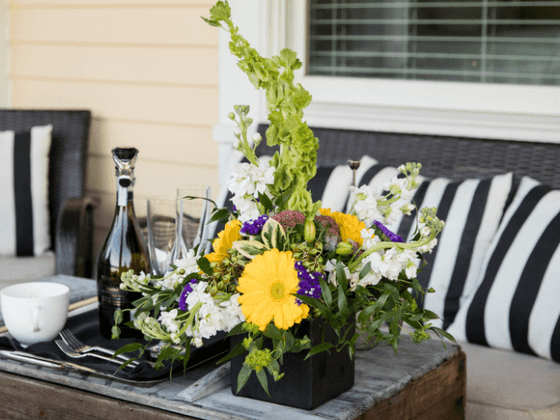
x: 515, y: 305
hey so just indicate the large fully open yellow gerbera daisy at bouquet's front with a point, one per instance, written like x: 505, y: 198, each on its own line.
x: 268, y: 287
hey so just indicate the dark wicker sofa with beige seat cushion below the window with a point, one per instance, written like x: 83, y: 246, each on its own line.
x: 501, y: 384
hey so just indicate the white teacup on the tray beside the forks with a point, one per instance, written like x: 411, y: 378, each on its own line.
x: 35, y: 312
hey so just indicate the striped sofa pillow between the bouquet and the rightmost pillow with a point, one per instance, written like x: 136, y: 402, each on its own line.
x: 472, y: 210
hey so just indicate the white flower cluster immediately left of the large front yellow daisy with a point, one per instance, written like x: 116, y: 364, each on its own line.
x: 213, y: 315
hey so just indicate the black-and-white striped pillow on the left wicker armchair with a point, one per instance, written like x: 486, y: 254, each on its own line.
x: 24, y: 166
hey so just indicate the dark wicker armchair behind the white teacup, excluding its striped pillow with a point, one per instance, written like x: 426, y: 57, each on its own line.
x: 70, y: 211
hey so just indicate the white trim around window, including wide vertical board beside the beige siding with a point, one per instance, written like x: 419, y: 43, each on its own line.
x: 492, y: 111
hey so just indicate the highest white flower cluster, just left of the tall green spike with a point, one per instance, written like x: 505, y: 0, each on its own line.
x: 246, y: 182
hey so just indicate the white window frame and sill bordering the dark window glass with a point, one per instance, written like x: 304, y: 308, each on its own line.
x: 485, y: 110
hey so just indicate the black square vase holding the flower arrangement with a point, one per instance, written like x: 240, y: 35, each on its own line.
x: 306, y: 383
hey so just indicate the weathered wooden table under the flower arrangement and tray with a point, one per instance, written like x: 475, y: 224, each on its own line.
x: 421, y: 382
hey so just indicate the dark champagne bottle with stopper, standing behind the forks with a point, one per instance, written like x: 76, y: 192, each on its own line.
x: 123, y: 249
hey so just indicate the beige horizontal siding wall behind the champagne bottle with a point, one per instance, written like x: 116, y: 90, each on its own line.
x: 147, y: 70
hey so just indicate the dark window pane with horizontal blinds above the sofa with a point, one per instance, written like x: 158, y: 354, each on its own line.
x: 470, y: 41
